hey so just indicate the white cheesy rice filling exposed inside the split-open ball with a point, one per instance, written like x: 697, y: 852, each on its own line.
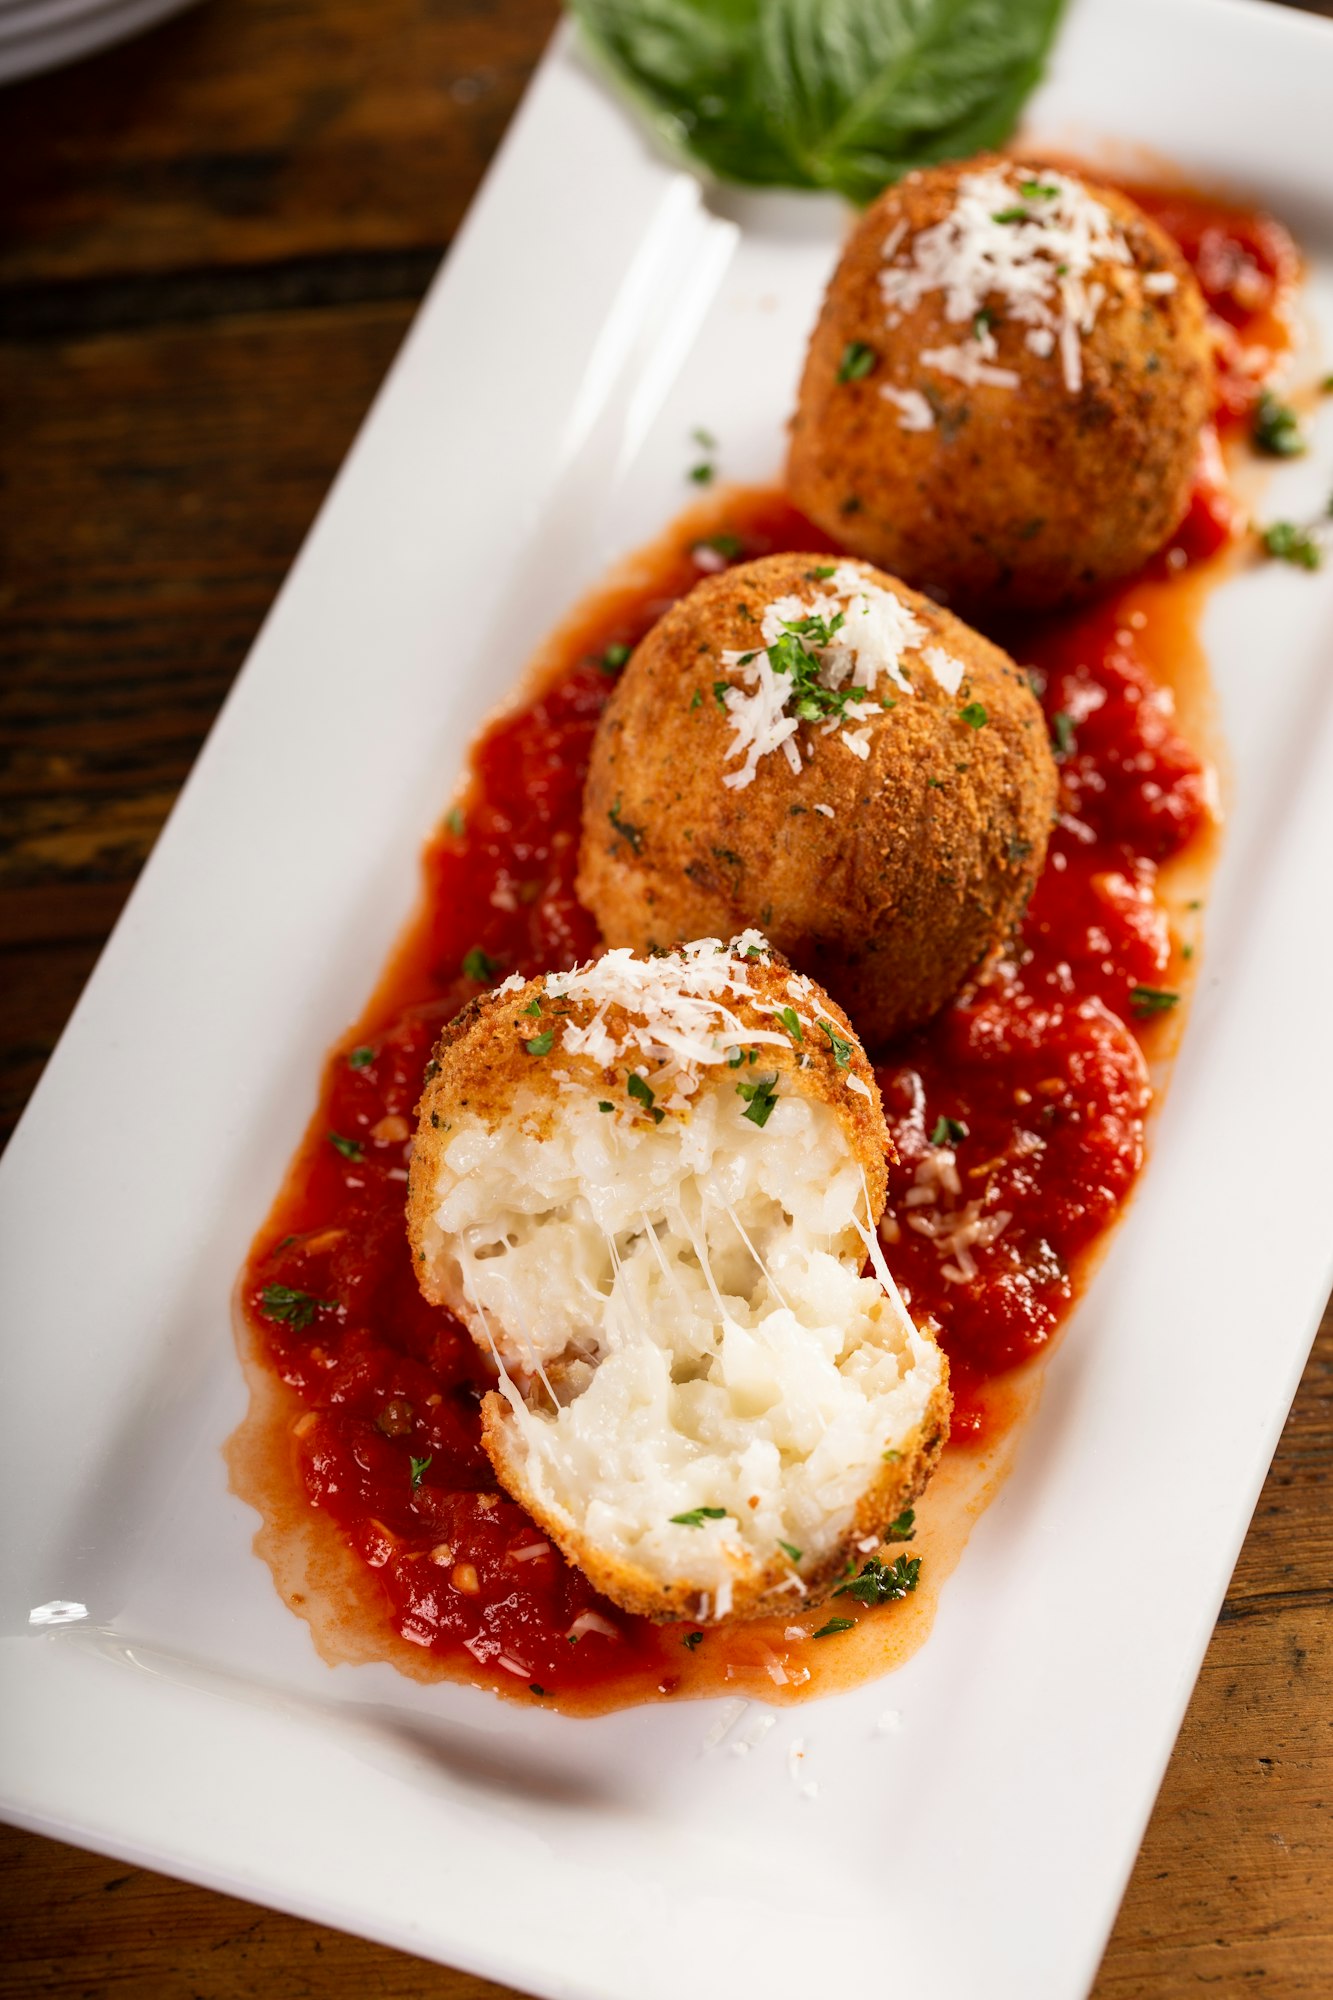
x: 682, y: 1325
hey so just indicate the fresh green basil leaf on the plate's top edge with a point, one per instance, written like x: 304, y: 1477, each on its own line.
x: 842, y: 95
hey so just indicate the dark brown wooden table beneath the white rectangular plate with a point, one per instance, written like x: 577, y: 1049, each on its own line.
x: 213, y: 243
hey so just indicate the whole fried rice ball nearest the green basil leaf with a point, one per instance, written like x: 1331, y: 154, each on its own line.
x: 1006, y: 391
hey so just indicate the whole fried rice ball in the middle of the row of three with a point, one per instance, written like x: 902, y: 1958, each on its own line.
x: 812, y: 747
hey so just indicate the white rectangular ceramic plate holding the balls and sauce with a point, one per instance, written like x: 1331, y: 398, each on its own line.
x: 595, y: 309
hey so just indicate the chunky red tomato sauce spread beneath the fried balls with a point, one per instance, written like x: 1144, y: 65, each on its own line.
x: 1018, y: 1115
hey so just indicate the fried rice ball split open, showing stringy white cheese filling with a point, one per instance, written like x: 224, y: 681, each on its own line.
x: 651, y: 1187
